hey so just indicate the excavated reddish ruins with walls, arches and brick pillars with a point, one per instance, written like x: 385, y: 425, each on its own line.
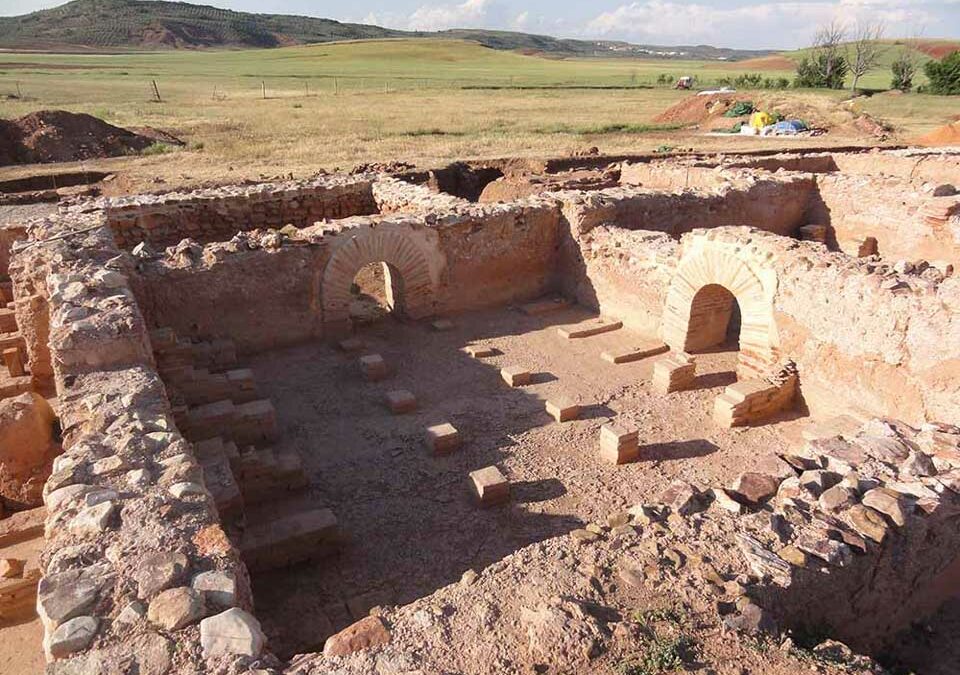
x: 595, y: 414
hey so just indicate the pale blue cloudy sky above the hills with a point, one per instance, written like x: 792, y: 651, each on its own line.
x: 746, y: 24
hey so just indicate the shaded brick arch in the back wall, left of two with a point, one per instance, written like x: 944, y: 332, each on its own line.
x: 410, y: 288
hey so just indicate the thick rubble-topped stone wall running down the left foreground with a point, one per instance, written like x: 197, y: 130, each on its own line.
x: 130, y: 525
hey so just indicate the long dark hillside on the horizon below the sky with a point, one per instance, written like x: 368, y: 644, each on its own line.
x: 137, y: 24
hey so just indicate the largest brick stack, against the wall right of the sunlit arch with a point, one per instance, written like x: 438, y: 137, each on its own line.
x: 752, y: 401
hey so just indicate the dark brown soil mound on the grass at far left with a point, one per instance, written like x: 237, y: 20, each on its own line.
x: 60, y: 136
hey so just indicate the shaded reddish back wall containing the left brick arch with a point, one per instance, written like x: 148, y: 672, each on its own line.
x: 297, y: 288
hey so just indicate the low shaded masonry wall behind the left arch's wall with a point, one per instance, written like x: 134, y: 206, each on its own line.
x: 217, y: 214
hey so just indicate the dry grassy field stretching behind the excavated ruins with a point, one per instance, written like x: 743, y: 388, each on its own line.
x: 417, y: 100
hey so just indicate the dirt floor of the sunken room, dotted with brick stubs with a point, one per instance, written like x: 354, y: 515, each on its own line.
x: 409, y: 524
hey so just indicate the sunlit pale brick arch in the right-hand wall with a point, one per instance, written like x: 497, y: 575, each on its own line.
x: 699, y: 287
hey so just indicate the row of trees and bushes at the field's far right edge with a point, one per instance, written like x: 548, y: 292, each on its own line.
x: 838, y: 54
